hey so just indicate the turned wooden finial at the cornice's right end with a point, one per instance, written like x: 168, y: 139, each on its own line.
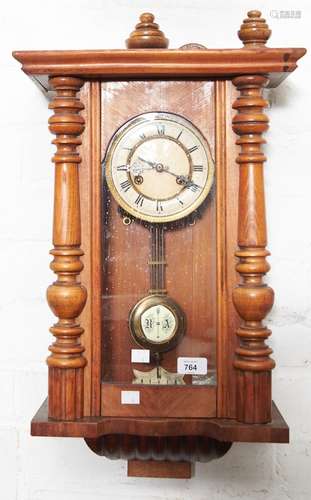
x: 254, y: 31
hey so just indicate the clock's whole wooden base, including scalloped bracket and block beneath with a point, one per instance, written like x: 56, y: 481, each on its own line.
x: 161, y: 447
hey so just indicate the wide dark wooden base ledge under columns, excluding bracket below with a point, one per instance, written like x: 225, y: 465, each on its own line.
x: 220, y: 429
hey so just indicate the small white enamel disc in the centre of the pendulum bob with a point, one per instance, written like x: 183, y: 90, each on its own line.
x: 158, y: 324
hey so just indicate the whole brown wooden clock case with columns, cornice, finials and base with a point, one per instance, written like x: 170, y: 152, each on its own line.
x: 166, y: 441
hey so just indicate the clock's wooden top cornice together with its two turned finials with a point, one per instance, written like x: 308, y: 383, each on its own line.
x: 147, y: 57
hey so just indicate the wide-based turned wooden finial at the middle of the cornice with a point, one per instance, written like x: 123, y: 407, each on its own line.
x: 147, y: 34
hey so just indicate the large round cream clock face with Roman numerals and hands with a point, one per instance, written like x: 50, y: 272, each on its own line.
x: 159, y: 167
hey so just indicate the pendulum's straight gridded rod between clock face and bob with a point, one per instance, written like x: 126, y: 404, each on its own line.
x: 157, y: 263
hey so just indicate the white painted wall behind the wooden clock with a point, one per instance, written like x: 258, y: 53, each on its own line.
x: 49, y: 468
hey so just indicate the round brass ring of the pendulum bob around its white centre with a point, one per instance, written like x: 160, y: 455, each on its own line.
x: 136, y: 328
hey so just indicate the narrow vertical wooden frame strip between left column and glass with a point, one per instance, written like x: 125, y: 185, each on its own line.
x: 91, y: 202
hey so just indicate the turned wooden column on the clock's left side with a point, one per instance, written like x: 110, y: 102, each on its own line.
x: 66, y: 296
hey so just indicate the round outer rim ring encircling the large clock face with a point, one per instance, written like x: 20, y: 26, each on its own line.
x: 108, y: 167
